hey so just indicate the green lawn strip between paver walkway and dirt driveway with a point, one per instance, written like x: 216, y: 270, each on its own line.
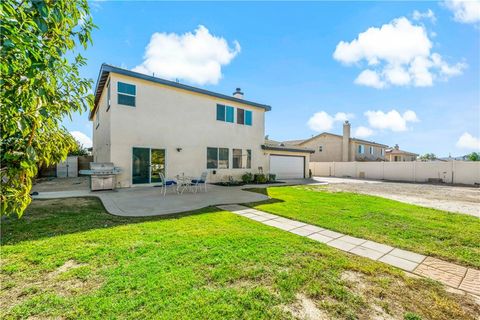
x: 454, y: 237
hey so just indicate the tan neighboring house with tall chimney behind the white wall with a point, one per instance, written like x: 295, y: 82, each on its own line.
x: 330, y: 147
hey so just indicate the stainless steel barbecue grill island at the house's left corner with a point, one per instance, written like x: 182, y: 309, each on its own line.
x: 102, y: 175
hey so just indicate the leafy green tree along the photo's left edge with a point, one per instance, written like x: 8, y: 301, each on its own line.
x: 40, y: 85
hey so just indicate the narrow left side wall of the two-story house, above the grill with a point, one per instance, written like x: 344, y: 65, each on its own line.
x: 101, y: 137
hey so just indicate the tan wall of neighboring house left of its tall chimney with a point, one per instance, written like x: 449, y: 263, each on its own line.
x: 331, y: 148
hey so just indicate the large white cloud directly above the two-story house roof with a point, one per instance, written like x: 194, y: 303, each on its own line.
x: 195, y: 57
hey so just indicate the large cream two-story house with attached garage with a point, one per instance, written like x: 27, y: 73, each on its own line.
x: 147, y: 126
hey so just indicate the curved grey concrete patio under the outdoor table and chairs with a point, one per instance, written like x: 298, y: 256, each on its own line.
x: 148, y: 201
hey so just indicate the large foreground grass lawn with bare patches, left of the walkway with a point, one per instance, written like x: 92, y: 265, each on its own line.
x: 67, y: 258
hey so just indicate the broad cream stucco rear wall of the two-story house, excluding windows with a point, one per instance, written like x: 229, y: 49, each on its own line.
x: 170, y: 118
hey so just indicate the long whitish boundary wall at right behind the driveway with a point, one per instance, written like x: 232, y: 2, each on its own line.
x: 461, y: 172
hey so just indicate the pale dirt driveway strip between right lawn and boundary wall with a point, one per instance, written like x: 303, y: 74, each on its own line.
x: 443, y: 197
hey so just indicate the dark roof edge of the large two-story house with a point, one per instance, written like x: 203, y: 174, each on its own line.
x: 105, y: 70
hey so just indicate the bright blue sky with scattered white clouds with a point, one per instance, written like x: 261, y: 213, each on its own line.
x: 405, y: 73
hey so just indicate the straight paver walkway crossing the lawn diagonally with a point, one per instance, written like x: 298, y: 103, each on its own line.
x: 459, y: 277
